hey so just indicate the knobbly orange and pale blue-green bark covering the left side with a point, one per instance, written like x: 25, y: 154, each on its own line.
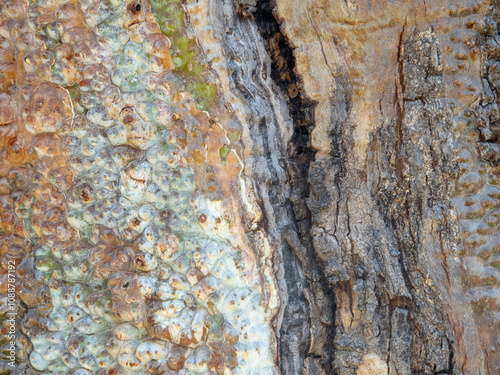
x: 119, y: 277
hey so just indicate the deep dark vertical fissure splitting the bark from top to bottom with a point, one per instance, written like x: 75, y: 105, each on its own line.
x: 300, y: 157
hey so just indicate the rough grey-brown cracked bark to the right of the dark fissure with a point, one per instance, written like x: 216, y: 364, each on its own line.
x: 393, y: 84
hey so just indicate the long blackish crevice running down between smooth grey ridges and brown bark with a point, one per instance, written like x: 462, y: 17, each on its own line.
x: 316, y: 354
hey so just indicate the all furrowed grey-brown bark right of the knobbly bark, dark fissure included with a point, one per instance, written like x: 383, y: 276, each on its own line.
x: 382, y: 90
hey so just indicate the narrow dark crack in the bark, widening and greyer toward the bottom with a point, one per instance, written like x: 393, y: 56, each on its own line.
x: 295, y: 334
